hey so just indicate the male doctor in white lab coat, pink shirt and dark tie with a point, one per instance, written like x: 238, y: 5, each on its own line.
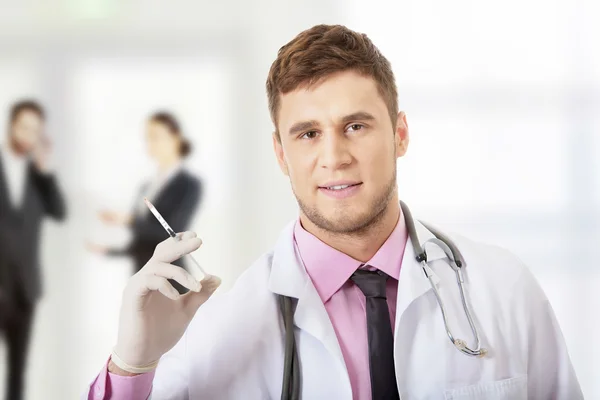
x: 347, y: 260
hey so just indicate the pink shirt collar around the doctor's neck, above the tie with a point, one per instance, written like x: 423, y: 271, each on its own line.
x: 329, y: 268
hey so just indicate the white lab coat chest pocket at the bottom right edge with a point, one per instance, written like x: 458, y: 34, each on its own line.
x: 506, y: 389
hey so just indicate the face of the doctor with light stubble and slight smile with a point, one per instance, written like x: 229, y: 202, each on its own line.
x: 339, y: 148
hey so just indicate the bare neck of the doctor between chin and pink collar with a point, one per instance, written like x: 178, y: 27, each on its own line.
x: 361, y: 244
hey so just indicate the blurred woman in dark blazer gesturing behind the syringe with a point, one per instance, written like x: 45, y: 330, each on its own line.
x: 175, y: 192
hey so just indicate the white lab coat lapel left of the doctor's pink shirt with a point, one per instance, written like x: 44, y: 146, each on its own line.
x: 288, y: 277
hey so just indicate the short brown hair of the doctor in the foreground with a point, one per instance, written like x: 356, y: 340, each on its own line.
x: 321, y: 51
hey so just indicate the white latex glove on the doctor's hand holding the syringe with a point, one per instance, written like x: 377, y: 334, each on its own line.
x: 154, y: 315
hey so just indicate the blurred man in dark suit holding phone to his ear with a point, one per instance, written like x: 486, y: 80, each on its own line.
x: 28, y: 193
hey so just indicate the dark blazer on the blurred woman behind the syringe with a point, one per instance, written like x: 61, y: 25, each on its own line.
x: 177, y: 202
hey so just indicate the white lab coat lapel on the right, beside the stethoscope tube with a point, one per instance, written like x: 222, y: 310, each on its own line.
x: 412, y: 282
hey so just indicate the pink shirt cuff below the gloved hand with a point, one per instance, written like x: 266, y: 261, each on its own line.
x: 109, y: 386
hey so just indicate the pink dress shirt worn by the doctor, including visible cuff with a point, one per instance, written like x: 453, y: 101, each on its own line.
x: 330, y: 272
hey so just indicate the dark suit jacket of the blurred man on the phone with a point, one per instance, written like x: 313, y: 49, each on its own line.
x: 20, y: 232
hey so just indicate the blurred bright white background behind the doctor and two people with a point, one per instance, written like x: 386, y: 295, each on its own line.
x: 502, y: 98
